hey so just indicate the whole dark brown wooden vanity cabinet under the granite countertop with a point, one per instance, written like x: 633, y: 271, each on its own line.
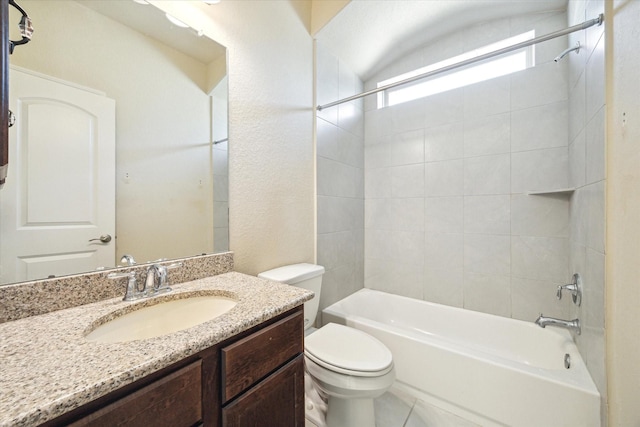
x: 253, y: 378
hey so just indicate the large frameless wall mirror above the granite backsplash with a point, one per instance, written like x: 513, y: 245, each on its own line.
x: 169, y: 88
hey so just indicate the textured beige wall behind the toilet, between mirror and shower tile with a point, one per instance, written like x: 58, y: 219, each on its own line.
x: 271, y: 168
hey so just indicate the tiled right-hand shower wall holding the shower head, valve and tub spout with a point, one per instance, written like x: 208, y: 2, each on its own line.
x: 587, y: 166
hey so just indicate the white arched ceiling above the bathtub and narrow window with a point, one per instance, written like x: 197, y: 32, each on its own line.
x: 367, y: 35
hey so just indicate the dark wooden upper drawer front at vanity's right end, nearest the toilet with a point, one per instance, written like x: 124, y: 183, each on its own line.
x: 247, y: 361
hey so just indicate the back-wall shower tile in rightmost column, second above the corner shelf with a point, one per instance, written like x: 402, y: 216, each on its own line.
x: 539, y: 127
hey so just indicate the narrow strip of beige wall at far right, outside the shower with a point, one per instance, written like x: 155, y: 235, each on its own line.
x: 623, y: 211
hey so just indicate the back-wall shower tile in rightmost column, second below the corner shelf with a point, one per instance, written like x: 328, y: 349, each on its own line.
x: 539, y: 258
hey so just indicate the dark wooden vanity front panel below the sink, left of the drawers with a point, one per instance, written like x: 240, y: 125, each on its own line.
x: 172, y: 401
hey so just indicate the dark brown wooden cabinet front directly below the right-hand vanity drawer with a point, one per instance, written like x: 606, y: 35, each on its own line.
x: 277, y: 401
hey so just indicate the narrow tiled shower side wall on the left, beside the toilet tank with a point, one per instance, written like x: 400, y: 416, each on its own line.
x: 340, y: 180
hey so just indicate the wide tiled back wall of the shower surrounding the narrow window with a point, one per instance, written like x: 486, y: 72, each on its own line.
x: 448, y: 217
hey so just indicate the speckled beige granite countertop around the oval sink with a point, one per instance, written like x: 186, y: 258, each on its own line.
x: 49, y: 368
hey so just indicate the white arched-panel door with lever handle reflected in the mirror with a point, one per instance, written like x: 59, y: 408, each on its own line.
x: 60, y: 190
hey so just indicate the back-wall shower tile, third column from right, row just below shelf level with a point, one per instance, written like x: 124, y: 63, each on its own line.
x: 443, y: 214
